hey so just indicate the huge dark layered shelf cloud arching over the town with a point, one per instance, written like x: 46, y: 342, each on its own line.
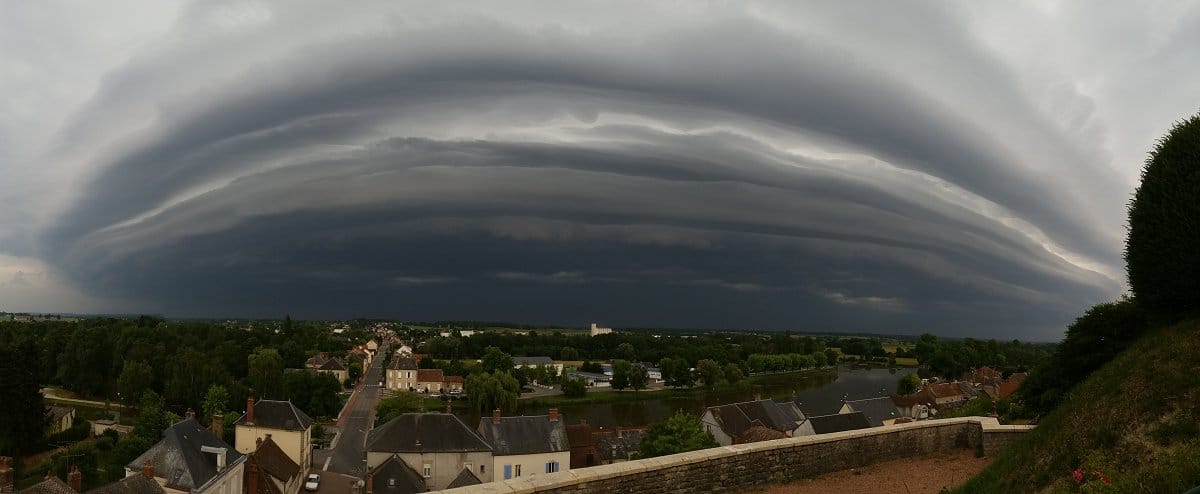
x: 727, y: 173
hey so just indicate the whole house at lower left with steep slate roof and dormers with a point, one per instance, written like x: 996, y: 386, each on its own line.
x: 191, y: 460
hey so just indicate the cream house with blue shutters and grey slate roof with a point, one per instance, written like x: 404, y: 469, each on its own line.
x: 526, y: 445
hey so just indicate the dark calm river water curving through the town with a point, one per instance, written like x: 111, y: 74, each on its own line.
x: 818, y: 395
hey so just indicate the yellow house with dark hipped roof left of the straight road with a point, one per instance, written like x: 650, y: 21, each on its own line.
x: 289, y: 427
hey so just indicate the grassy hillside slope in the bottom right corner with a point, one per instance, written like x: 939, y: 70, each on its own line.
x: 1135, y: 420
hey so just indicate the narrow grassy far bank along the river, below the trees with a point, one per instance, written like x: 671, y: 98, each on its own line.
x: 608, y: 395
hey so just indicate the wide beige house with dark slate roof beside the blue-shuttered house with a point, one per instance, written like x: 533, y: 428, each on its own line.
x: 439, y: 447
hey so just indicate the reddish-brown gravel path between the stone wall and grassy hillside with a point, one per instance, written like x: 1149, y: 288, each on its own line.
x: 902, y: 477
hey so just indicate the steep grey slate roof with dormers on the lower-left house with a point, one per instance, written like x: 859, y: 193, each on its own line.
x: 178, y: 457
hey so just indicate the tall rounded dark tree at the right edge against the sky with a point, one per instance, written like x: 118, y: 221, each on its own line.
x: 1165, y: 226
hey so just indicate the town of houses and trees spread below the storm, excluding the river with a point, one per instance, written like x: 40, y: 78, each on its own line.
x: 386, y: 407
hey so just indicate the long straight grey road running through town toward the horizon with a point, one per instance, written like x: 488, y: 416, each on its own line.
x: 350, y: 453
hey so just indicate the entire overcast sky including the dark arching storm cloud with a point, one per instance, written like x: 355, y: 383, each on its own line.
x: 886, y: 167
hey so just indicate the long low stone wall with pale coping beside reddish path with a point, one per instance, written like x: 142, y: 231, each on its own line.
x: 741, y: 467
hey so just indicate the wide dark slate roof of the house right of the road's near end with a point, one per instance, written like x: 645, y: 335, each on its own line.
x: 425, y: 433
